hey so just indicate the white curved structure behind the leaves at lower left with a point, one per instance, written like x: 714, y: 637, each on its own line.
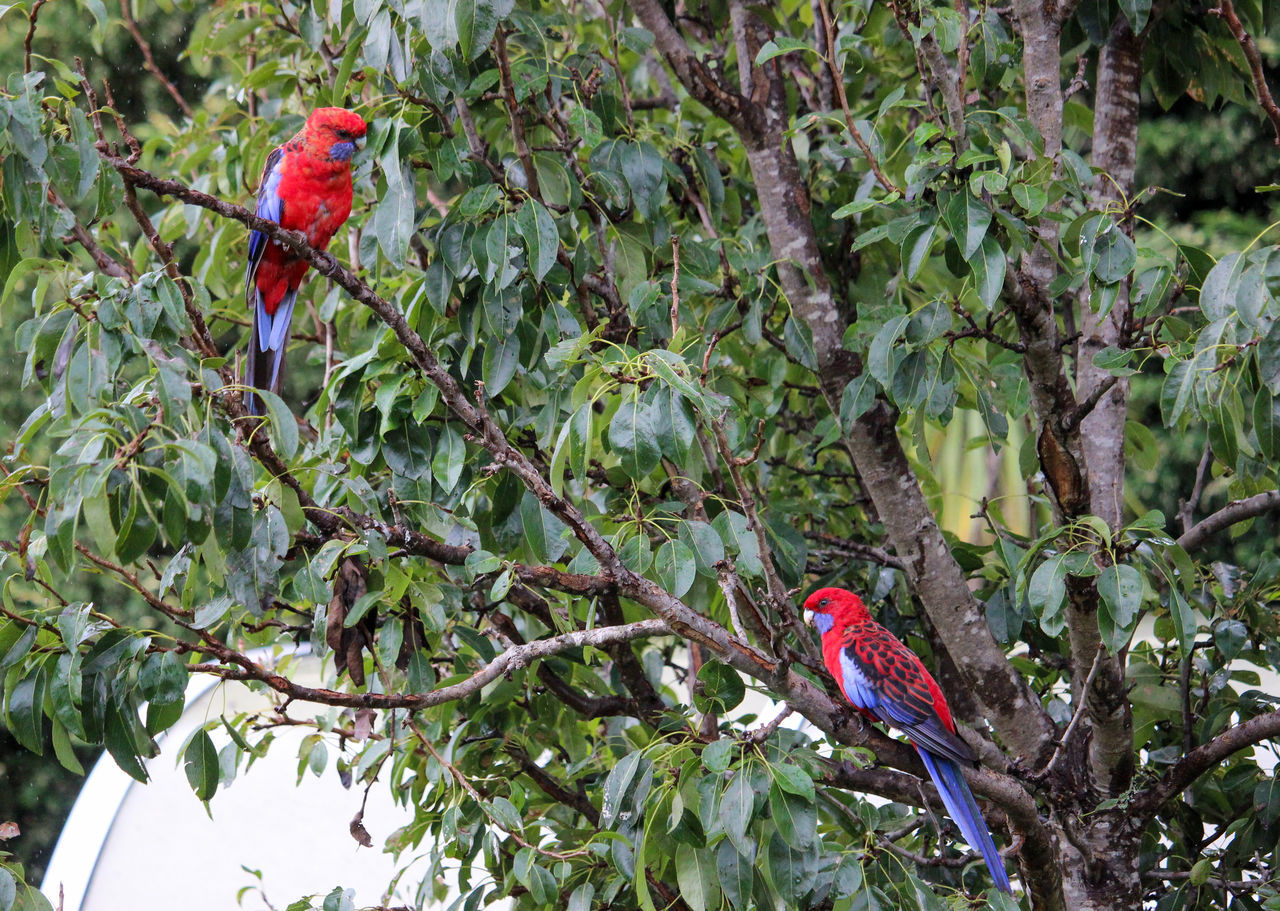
x: 153, y: 848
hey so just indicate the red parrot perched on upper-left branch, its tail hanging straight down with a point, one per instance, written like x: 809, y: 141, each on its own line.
x: 305, y: 187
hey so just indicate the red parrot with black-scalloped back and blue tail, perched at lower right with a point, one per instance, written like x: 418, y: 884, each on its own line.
x: 888, y: 683
